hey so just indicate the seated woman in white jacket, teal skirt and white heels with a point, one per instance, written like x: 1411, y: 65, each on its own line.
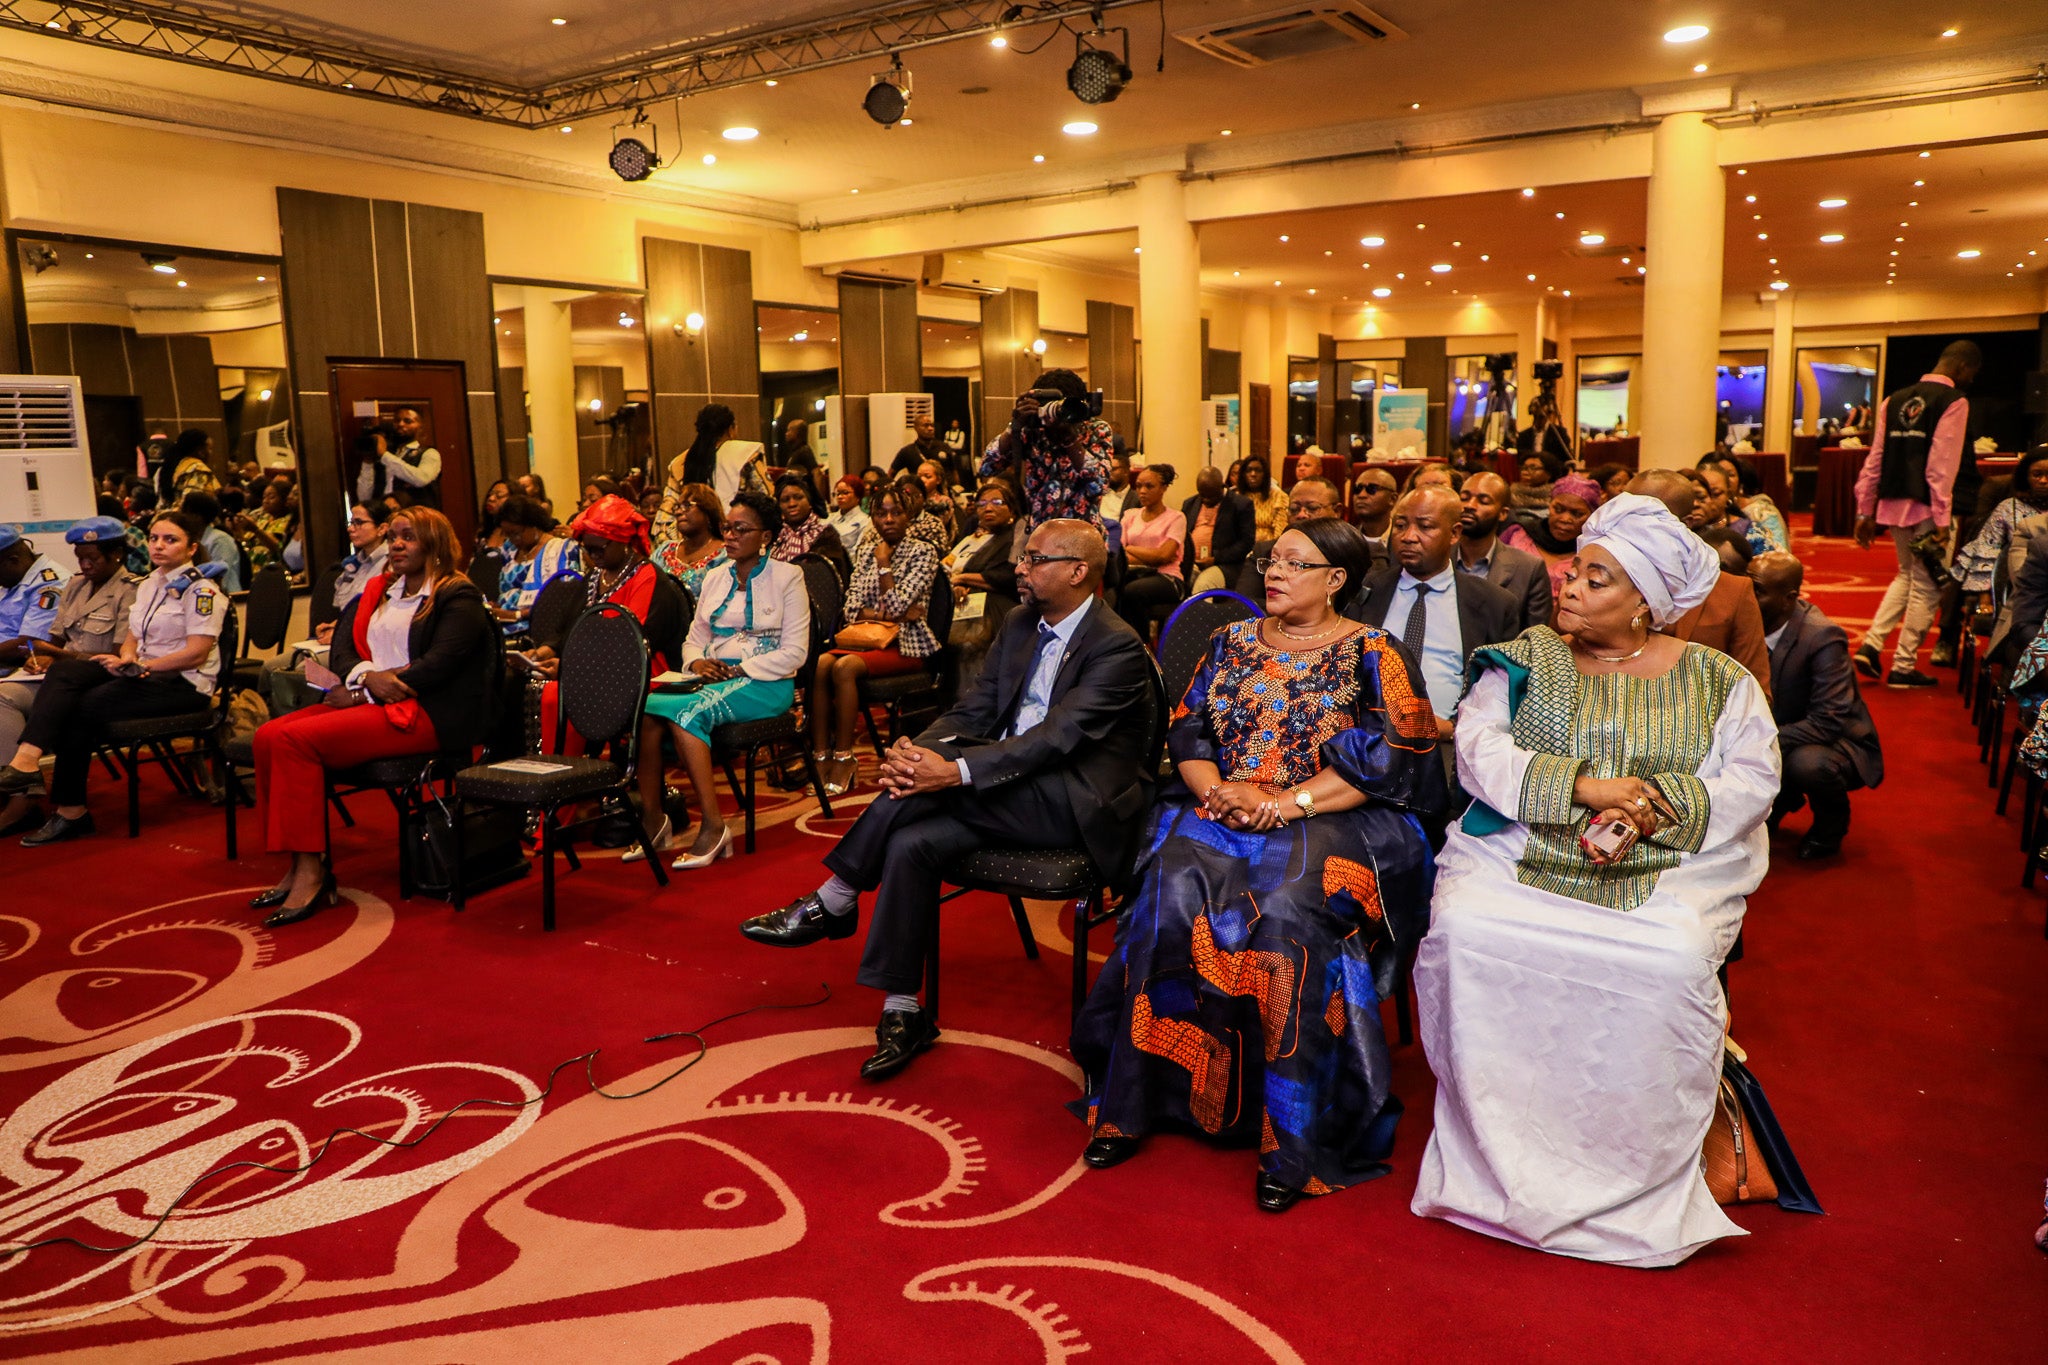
x: 746, y: 644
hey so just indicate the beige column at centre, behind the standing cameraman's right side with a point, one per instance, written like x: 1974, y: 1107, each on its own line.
x: 1170, y: 324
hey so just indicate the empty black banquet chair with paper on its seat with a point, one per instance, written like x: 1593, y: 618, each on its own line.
x: 603, y: 691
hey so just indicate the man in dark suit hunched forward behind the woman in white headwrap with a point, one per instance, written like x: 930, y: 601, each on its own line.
x: 1826, y: 738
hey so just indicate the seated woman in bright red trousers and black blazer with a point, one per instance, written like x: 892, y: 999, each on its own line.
x: 415, y: 658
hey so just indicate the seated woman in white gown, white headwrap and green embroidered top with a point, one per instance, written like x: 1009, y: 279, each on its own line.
x: 1547, y: 1137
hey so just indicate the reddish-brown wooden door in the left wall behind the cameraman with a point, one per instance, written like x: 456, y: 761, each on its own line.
x: 372, y: 392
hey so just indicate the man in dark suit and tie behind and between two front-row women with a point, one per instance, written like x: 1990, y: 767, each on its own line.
x: 1435, y: 611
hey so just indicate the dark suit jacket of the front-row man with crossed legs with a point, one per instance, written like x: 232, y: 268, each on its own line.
x: 1093, y: 738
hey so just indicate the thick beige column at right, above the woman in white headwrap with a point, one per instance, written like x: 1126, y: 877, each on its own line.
x: 1682, y: 294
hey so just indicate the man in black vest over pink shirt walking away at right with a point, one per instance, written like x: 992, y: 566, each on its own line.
x: 1908, y: 486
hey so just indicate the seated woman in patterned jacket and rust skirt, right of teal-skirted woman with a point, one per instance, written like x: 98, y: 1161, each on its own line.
x: 890, y: 597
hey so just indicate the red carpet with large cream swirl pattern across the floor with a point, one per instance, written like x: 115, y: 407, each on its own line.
x: 771, y: 1208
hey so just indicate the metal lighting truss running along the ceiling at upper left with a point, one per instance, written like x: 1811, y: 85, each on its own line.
x: 224, y: 40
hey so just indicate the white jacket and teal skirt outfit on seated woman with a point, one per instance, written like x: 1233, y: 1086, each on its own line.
x: 761, y: 625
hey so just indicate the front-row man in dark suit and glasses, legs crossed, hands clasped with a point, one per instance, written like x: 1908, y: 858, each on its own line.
x: 1046, y: 752
